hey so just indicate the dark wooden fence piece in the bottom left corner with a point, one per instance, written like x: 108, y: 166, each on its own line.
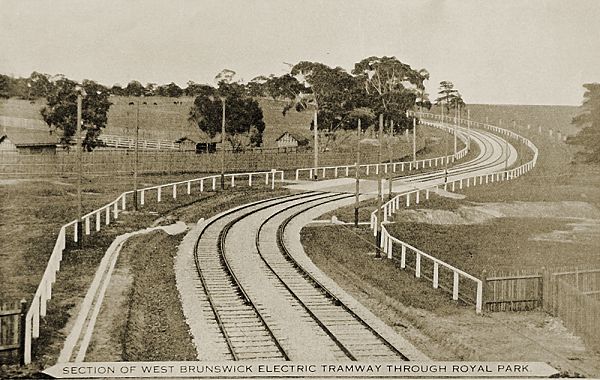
x: 12, y: 322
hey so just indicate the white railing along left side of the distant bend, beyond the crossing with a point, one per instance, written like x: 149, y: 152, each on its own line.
x: 401, y: 166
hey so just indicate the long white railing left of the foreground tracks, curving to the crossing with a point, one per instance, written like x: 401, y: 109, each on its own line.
x: 104, y: 215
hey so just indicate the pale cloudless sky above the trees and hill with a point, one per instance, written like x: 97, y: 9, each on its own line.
x: 506, y: 51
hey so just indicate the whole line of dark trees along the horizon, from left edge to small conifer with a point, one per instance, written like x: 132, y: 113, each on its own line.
x: 375, y: 86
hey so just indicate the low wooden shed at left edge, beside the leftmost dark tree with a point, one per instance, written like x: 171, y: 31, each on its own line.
x: 27, y: 141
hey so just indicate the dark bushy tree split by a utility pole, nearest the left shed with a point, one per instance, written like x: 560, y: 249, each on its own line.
x: 61, y: 110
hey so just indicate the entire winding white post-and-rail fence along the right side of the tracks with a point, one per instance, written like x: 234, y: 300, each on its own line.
x: 387, y: 241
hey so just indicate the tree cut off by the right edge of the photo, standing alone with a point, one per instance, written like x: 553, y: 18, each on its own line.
x: 588, y: 120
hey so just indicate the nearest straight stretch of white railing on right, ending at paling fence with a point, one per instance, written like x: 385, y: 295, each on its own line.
x: 387, y: 245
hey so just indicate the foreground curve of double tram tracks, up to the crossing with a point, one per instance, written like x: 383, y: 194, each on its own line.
x: 266, y: 306
